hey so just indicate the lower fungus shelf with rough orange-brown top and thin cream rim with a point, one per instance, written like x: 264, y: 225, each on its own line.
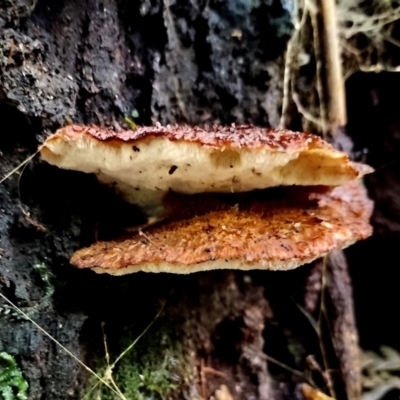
x: 270, y: 231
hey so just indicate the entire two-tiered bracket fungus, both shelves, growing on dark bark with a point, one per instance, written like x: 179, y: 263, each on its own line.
x: 214, y: 182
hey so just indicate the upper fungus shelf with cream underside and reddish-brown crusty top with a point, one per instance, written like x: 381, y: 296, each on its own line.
x: 143, y: 165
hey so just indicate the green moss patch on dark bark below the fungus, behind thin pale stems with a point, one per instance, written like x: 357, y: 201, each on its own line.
x: 153, y: 369
